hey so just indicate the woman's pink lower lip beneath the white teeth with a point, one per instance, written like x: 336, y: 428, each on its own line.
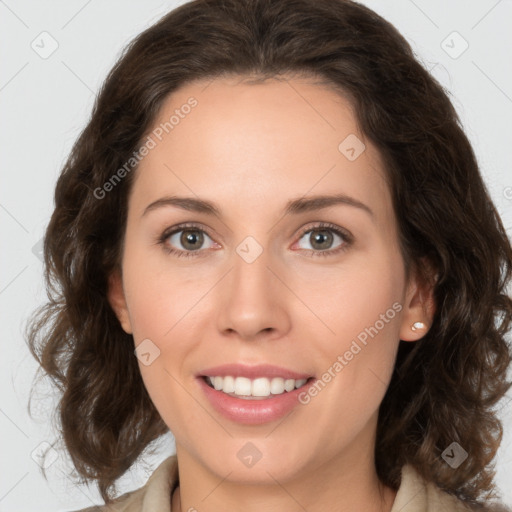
x: 252, y: 412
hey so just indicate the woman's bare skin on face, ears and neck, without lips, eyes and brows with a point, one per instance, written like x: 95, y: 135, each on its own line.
x: 249, y: 149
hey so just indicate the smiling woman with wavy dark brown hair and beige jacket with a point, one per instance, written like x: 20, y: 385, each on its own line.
x: 273, y: 240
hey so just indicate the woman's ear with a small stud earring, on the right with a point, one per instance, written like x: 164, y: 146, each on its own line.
x: 419, y: 303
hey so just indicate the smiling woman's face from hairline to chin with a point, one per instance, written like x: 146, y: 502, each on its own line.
x: 274, y: 284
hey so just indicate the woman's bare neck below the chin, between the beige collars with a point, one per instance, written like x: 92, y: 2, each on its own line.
x: 339, y: 484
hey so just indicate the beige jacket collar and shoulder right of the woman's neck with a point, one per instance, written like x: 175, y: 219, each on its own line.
x: 417, y: 495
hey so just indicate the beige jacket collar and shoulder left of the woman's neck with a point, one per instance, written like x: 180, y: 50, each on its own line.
x: 153, y: 495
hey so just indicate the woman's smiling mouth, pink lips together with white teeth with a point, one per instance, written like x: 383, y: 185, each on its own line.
x: 252, y: 394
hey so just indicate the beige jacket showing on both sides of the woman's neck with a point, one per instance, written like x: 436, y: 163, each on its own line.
x: 414, y: 494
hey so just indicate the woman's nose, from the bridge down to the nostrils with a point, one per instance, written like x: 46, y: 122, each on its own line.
x: 254, y: 300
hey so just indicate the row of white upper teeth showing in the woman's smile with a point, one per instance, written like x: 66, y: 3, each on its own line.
x: 260, y: 387
